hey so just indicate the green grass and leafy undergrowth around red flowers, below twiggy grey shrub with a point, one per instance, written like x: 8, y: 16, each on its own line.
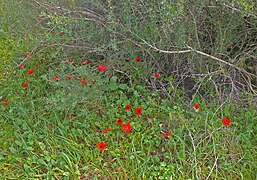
x: 38, y: 140
